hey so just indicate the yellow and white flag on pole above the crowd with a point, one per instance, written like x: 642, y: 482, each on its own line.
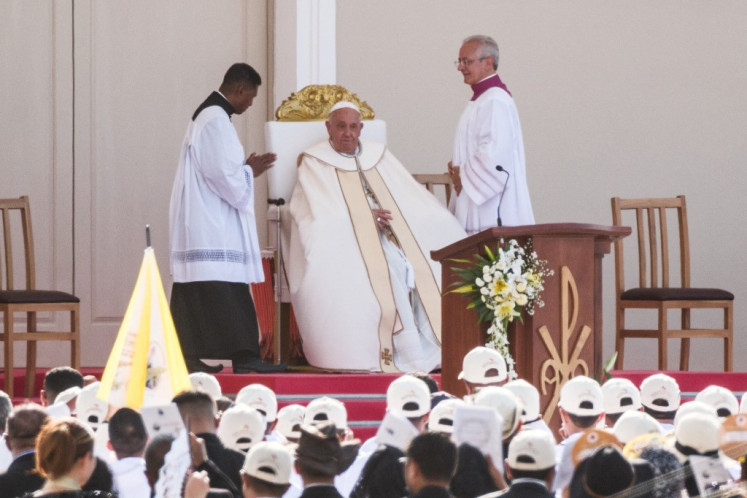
x: 146, y: 366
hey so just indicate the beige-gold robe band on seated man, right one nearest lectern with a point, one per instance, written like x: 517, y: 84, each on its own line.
x: 425, y: 282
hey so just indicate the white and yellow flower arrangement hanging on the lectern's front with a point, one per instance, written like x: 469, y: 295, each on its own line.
x: 502, y: 285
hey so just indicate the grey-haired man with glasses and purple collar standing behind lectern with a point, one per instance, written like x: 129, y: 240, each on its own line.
x: 488, y: 135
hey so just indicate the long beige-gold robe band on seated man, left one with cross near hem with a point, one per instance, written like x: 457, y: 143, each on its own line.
x: 373, y: 257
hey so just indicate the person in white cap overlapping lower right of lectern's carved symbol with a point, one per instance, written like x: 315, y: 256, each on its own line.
x: 581, y: 407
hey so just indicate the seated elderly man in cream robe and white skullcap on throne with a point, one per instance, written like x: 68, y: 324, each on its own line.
x: 365, y: 292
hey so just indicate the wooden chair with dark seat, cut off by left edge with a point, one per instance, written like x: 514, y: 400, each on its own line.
x: 16, y: 219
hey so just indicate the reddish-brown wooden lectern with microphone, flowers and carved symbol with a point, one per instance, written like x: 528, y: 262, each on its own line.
x: 561, y: 339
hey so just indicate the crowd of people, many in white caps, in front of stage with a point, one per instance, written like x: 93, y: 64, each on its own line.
x: 616, y: 439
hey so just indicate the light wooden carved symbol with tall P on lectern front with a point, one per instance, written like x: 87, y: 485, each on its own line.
x: 557, y: 369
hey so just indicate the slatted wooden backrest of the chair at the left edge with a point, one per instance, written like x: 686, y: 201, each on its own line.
x: 9, y: 207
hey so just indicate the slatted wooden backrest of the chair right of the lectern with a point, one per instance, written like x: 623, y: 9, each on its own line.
x: 653, y: 241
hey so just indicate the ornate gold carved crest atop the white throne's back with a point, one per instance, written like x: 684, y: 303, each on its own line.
x: 313, y: 102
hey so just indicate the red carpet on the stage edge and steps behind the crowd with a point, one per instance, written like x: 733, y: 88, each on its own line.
x: 365, y: 394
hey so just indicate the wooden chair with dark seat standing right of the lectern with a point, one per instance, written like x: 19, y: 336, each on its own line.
x: 657, y: 288
